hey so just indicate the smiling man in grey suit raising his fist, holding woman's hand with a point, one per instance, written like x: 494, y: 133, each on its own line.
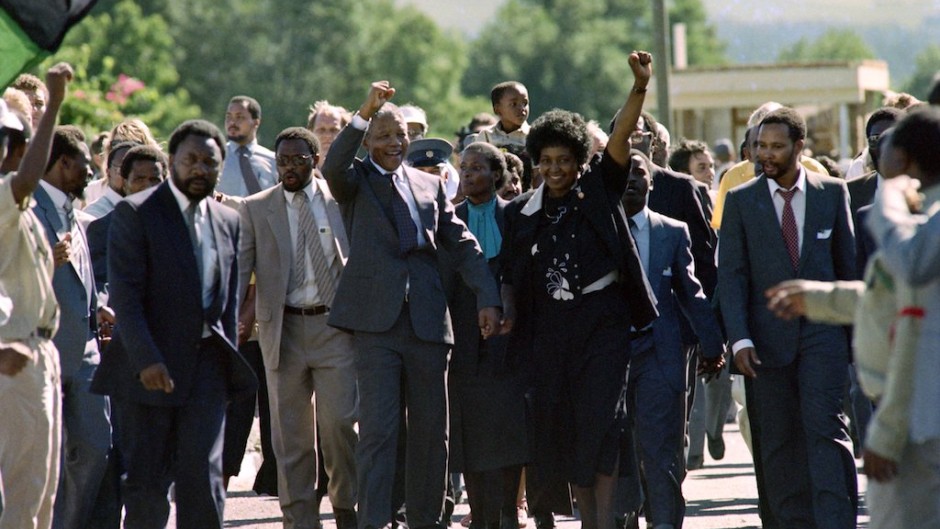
x: 391, y: 298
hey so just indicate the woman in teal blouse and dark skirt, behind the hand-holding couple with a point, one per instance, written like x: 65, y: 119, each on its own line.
x: 487, y: 401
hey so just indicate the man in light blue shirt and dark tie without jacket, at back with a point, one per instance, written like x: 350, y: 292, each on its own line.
x: 249, y: 167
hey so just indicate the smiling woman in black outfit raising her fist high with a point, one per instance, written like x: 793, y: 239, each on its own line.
x: 573, y: 286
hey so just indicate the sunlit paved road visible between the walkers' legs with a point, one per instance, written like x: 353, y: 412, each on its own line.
x: 720, y: 496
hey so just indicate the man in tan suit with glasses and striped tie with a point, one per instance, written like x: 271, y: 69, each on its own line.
x: 294, y: 240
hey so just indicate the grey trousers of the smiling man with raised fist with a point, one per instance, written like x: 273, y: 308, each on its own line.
x: 395, y: 367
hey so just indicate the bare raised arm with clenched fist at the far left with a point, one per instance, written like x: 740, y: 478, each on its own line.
x: 33, y: 165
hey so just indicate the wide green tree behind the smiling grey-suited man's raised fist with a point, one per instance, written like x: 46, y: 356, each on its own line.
x: 289, y: 54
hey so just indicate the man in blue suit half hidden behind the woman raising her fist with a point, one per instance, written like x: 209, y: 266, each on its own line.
x: 658, y: 361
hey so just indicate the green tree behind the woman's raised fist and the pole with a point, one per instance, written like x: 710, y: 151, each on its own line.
x: 573, y: 54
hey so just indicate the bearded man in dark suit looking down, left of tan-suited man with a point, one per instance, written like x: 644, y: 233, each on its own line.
x: 173, y: 279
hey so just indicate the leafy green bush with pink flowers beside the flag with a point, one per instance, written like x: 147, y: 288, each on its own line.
x: 124, y: 68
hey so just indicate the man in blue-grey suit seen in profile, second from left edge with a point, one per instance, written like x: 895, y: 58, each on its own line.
x: 85, y: 416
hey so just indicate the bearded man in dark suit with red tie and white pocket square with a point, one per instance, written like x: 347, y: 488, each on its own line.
x: 790, y: 223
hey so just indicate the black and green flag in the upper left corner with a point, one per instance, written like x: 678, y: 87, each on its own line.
x: 31, y: 30
